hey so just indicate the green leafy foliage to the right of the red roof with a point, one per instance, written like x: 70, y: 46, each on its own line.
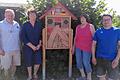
x: 89, y: 7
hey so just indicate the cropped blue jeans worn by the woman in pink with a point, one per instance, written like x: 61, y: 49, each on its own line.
x: 83, y: 59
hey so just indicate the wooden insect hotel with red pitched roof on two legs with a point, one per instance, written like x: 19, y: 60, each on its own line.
x: 57, y: 33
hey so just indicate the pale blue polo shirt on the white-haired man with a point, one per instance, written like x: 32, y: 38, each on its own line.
x: 9, y: 36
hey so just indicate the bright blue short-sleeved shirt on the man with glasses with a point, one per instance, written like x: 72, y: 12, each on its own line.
x: 107, y: 40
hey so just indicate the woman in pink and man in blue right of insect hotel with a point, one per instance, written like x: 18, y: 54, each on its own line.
x: 101, y: 47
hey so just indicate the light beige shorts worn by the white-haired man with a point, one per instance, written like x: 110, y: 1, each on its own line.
x: 9, y: 59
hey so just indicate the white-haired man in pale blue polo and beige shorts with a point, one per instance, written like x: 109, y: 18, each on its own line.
x: 10, y: 44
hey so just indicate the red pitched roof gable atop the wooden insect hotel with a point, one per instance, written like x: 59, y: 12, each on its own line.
x: 59, y: 9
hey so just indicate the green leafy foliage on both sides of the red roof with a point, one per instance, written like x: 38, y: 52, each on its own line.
x: 77, y: 7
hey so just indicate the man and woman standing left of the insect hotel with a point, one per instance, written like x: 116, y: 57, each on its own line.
x: 11, y: 35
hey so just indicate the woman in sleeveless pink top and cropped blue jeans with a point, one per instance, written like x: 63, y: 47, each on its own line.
x: 82, y: 45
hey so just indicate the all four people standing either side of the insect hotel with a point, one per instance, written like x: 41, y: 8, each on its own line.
x: 101, y: 47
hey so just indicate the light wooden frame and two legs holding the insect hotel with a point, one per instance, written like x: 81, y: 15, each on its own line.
x: 44, y: 47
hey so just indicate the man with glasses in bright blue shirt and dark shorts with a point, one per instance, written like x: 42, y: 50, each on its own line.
x: 105, y: 49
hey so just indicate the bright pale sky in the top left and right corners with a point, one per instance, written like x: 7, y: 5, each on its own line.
x: 115, y: 4
